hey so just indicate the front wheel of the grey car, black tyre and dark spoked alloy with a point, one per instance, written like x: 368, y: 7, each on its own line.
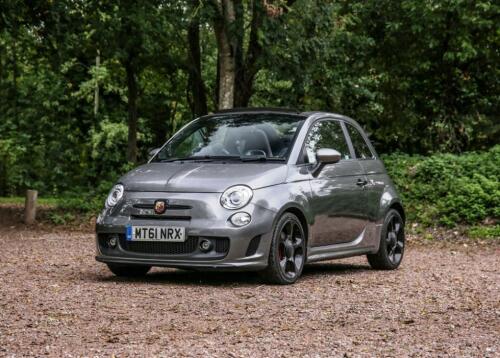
x: 287, y: 254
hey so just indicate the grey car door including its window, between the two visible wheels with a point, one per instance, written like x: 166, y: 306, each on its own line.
x: 337, y: 198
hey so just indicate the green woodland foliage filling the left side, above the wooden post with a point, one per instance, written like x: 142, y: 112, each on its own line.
x: 49, y: 133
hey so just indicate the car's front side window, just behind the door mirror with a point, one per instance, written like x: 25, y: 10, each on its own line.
x: 326, y: 134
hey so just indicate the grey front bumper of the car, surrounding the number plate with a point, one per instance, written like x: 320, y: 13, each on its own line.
x: 203, y: 218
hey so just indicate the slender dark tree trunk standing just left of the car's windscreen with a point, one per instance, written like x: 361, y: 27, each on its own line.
x: 132, y: 111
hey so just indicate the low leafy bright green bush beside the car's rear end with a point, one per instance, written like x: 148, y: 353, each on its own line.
x: 448, y: 189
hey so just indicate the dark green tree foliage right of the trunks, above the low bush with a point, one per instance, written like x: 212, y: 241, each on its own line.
x: 421, y: 76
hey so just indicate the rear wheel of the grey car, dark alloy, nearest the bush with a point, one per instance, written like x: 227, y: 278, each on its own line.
x: 392, y: 243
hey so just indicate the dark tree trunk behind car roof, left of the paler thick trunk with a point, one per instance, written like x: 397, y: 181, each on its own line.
x: 198, y: 101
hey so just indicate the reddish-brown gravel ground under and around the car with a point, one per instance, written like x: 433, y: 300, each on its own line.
x: 56, y: 300
